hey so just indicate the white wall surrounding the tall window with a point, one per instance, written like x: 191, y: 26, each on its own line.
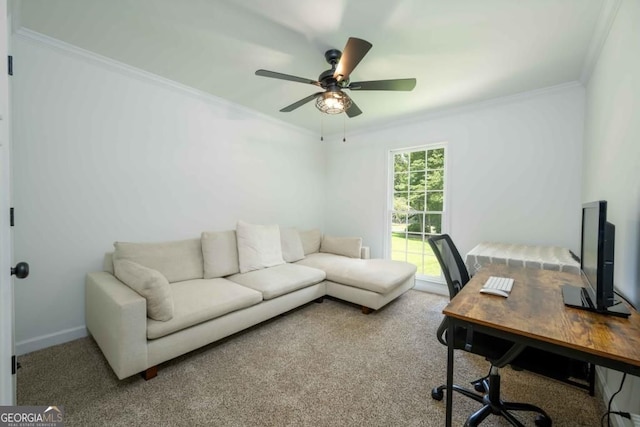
x: 514, y: 171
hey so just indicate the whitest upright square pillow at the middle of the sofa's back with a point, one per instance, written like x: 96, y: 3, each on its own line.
x: 258, y: 246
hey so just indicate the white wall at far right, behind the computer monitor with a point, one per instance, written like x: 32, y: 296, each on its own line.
x: 612, y: 161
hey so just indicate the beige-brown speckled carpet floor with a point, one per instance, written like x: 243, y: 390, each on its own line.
x: 320, y: 365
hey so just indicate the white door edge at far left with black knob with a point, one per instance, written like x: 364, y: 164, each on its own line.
x: 7, y: 378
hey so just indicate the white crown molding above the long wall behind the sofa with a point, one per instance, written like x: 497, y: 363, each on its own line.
x: 145, y: 76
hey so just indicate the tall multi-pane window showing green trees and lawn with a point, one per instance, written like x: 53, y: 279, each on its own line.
x: 417, y: 206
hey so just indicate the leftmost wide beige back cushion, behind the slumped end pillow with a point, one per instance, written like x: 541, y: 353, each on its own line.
x: 177, y: 260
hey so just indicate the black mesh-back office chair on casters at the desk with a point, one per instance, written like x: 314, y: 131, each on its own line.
x: 497, y: 351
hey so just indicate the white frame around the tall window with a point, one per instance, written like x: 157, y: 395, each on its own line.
x: 390, y: 192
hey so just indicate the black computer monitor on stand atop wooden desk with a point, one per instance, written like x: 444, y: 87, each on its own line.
x: 597, y: 244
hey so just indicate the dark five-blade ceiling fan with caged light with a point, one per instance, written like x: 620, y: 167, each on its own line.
x: 333, y: 100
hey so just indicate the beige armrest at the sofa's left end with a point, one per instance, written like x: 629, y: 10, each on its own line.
x: 116, y: 317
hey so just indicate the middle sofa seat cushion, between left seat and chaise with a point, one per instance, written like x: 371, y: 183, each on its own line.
x: 279, y: 280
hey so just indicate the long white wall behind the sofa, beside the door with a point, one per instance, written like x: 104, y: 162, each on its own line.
x: 102, y: 153
